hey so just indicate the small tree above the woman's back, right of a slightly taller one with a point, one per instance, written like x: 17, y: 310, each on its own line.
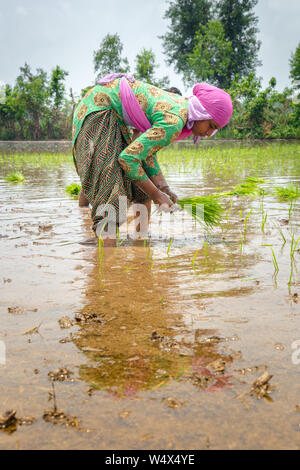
x: 146, y: 67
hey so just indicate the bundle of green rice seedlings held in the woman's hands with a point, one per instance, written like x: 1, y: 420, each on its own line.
x: 212, y: 209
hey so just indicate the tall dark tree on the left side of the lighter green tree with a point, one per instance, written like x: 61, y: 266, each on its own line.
x: 185, y: 16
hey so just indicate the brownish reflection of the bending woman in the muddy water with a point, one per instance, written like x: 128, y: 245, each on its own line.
x: 130, y: 335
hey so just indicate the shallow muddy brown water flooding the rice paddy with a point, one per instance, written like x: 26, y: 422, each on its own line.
x: 166, y: 346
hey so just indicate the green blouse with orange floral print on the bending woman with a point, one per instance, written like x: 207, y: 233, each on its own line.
x: 167, y: 112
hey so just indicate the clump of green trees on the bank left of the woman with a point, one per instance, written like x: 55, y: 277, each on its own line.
x: 36, y: 108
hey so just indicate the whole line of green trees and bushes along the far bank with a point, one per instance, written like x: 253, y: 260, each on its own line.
x: 210, y: 41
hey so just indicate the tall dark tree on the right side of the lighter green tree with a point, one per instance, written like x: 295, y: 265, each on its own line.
x: 240, y: 28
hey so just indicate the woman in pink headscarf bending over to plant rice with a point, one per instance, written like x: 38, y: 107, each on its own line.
x: 111, y: 164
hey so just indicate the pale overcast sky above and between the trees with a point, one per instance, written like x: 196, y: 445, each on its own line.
x: 46, y: 33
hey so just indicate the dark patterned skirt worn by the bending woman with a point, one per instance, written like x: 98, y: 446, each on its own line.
x: 98, y: 146
